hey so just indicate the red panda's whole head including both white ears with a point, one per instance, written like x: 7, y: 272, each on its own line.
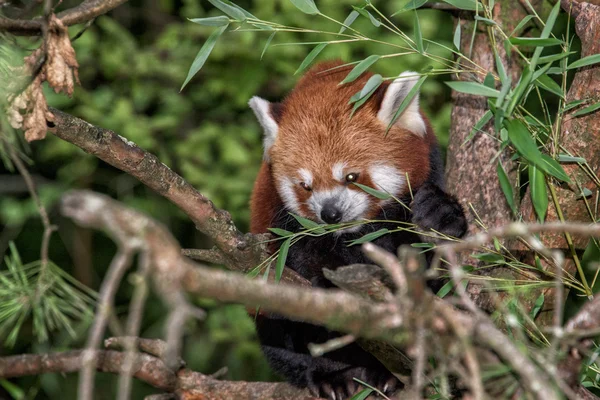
x: 317, y: 151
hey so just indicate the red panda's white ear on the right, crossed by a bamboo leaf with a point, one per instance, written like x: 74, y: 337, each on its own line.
x: 396, y: 92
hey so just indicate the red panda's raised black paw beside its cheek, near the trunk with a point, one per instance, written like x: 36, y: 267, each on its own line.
x: 434, y: 209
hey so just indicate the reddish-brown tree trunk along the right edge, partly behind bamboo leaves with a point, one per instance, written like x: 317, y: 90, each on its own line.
x: 579, y: 136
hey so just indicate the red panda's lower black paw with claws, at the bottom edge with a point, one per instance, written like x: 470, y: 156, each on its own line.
x: 342, y: 385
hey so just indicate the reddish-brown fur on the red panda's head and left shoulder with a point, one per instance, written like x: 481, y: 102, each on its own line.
x: 315, y: 131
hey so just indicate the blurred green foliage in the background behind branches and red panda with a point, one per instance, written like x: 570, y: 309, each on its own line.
x: 133, y: 62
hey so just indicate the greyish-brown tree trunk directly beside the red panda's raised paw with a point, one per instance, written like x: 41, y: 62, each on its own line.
x: 471, y: 165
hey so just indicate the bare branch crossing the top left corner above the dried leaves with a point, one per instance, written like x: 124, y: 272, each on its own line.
x: 86, y: 11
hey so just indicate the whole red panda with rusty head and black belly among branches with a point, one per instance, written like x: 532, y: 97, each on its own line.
x: 314, y: 152
